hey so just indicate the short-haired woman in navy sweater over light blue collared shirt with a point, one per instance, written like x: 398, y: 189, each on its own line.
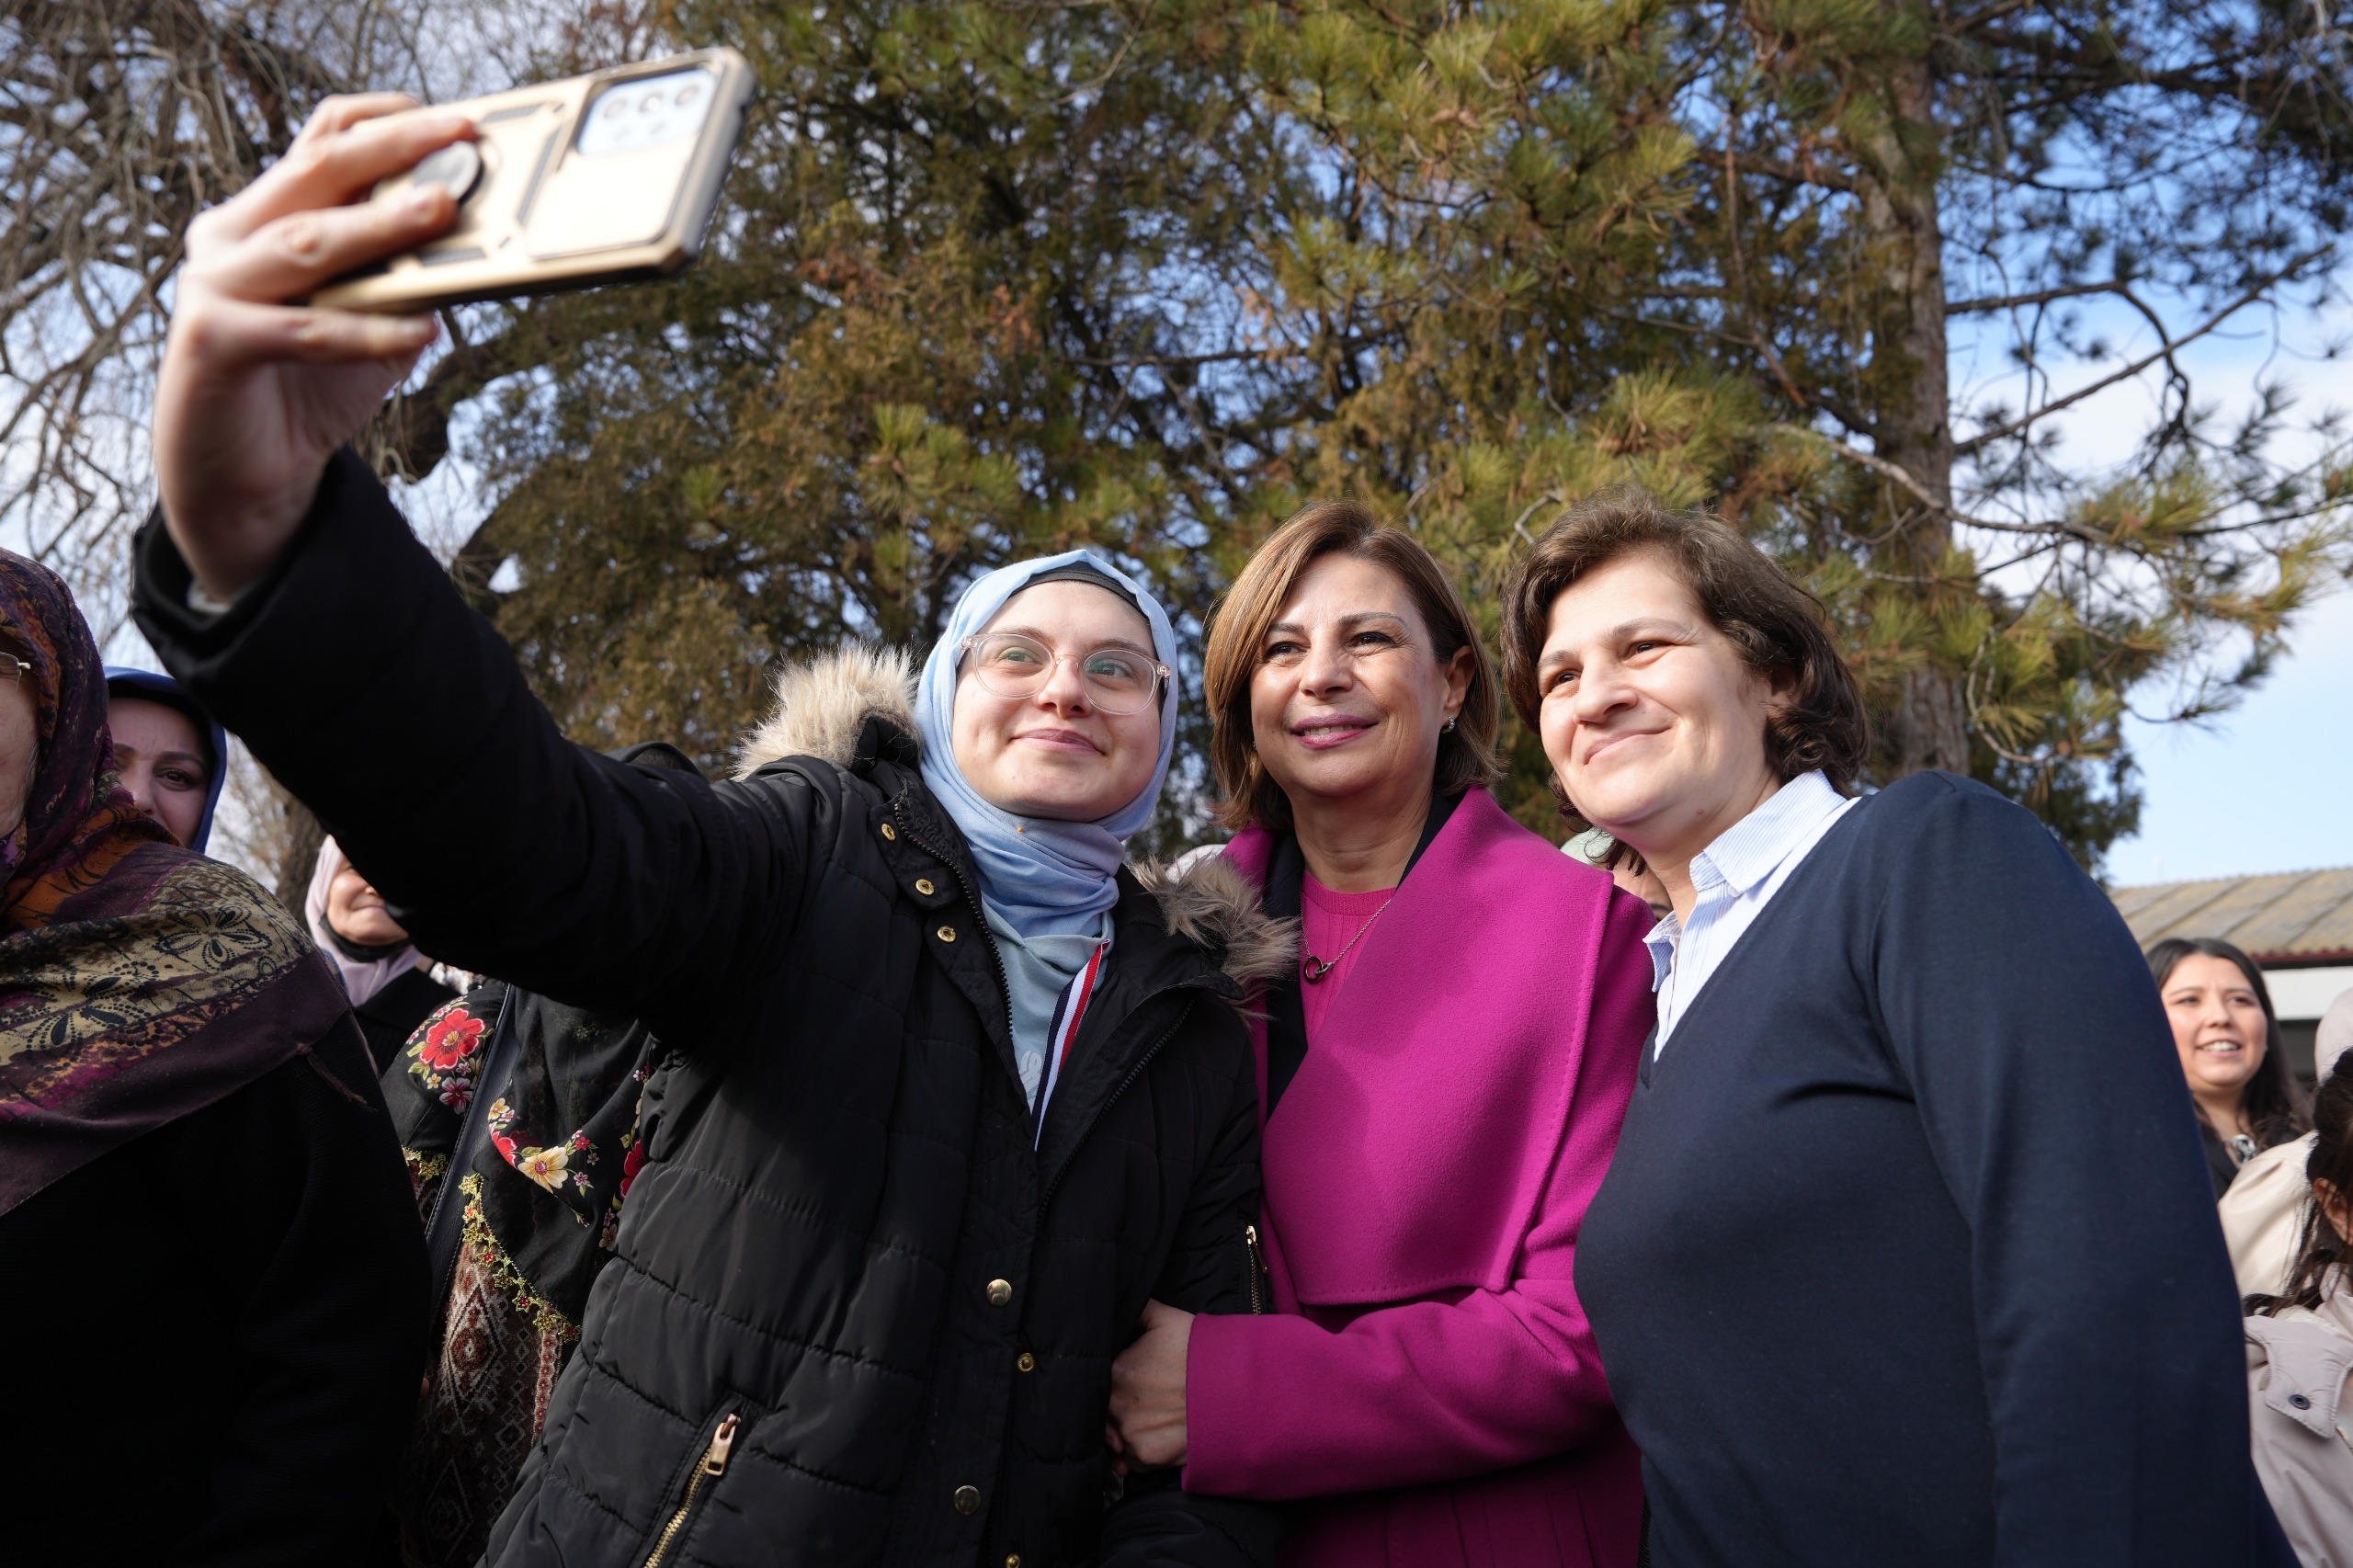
x: 1909, y: 1251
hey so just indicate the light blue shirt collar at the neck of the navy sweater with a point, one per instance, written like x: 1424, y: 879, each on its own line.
x: 1733, y: 882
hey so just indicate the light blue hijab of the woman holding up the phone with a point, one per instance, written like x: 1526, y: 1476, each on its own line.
x: 1039, y: 879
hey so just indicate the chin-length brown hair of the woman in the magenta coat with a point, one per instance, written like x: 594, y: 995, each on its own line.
x: 1239, y: 639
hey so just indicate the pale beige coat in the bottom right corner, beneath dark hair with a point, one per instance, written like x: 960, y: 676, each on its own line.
x: 2302, y: 1418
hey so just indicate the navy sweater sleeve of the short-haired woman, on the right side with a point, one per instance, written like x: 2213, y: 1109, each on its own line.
x: 2053, y: 1101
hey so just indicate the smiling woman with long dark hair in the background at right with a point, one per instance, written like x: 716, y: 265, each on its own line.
x: 2229, y: 1044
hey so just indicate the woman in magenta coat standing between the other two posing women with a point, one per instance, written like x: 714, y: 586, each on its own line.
x: 1441, y: 1091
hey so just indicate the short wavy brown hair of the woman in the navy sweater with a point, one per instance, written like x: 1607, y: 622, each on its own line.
x: 1775, y: 625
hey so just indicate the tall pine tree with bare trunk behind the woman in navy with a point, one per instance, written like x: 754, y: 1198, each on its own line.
x: 1717, y: 248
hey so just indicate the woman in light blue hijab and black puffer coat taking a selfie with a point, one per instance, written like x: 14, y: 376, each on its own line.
x: 947, y: 1096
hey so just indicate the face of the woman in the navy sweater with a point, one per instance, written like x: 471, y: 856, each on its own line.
x: 1651, y: 717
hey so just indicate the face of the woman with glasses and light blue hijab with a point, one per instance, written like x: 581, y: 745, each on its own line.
x: 1055, y: 755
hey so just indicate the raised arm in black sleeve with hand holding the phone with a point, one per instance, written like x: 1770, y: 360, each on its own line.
x: 347, y: 660
